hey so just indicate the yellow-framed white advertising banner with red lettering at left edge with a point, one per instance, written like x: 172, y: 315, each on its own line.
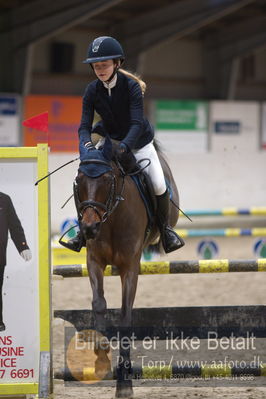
x: 24, y: 270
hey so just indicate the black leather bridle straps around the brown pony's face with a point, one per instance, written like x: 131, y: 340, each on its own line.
x: 112, y: 200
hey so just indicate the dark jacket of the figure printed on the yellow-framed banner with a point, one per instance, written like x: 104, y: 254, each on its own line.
x: 9, y: 222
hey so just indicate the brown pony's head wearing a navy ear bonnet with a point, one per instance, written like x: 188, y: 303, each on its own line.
x: 96, y: 188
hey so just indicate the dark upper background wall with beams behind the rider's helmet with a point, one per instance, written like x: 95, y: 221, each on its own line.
x: 213, y: 49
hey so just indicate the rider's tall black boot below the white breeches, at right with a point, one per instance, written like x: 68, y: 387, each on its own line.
x: 170, y: 239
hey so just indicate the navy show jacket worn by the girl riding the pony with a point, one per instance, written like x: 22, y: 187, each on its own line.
x: 121, y: 113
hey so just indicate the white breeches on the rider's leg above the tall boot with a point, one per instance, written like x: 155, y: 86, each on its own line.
x: 154, y: 170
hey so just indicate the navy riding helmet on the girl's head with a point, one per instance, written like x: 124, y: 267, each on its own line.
x: 104, y: 48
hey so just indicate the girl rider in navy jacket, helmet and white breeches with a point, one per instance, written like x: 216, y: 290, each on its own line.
x: 117, y: 96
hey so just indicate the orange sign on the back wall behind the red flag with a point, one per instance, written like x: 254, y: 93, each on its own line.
x: 64, y: 119
